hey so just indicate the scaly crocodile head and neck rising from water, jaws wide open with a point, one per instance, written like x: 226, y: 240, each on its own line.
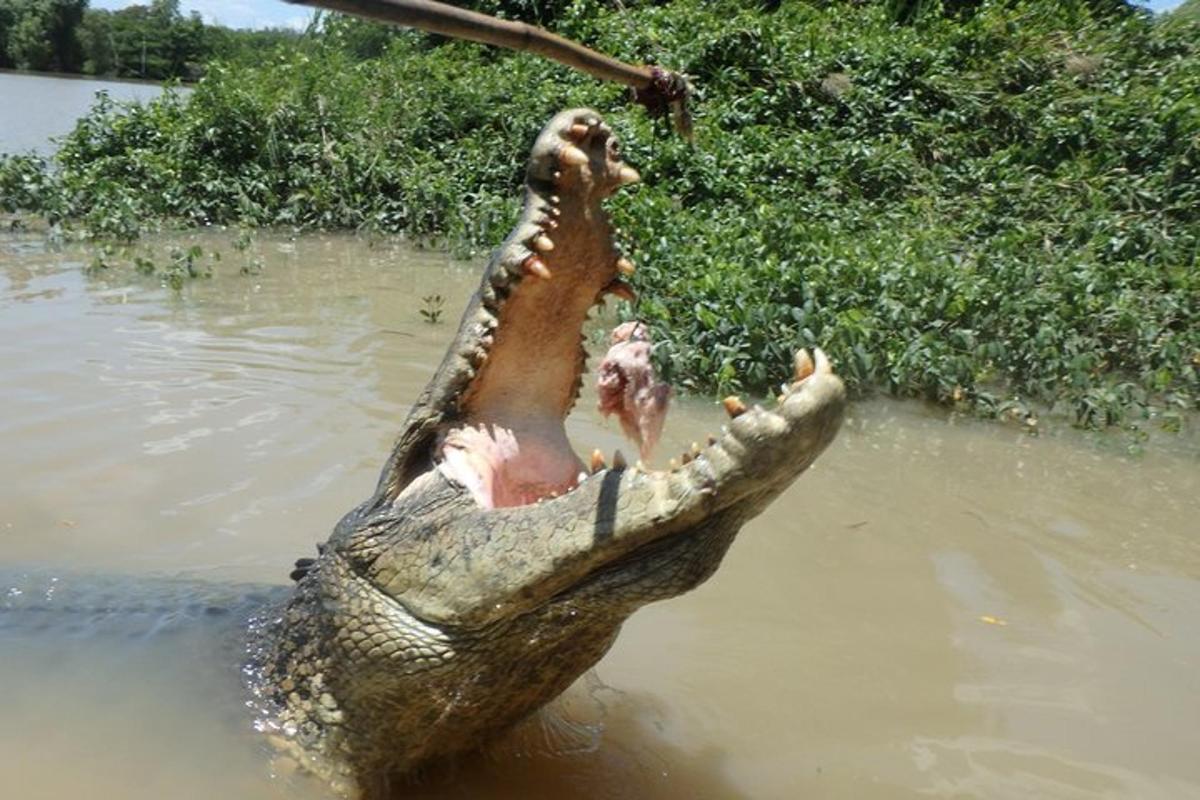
x: 493, y: 567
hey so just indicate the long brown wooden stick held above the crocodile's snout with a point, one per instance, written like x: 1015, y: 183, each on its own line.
x: 659, y: 91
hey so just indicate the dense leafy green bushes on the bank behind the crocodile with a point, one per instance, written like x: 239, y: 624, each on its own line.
x: 987, y: 204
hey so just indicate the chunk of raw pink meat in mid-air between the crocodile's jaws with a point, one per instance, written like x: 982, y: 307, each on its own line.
x: 628, y: 387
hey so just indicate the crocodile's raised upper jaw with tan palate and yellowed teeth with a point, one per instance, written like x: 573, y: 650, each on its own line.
x: 518, y: 359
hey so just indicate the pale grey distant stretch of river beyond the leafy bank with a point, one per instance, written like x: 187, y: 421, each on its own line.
x: 38, y: 107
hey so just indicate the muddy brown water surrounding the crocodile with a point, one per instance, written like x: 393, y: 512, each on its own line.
x: 941, y: 609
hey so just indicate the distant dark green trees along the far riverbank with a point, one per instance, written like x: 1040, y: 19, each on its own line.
x: 155, y: 41
